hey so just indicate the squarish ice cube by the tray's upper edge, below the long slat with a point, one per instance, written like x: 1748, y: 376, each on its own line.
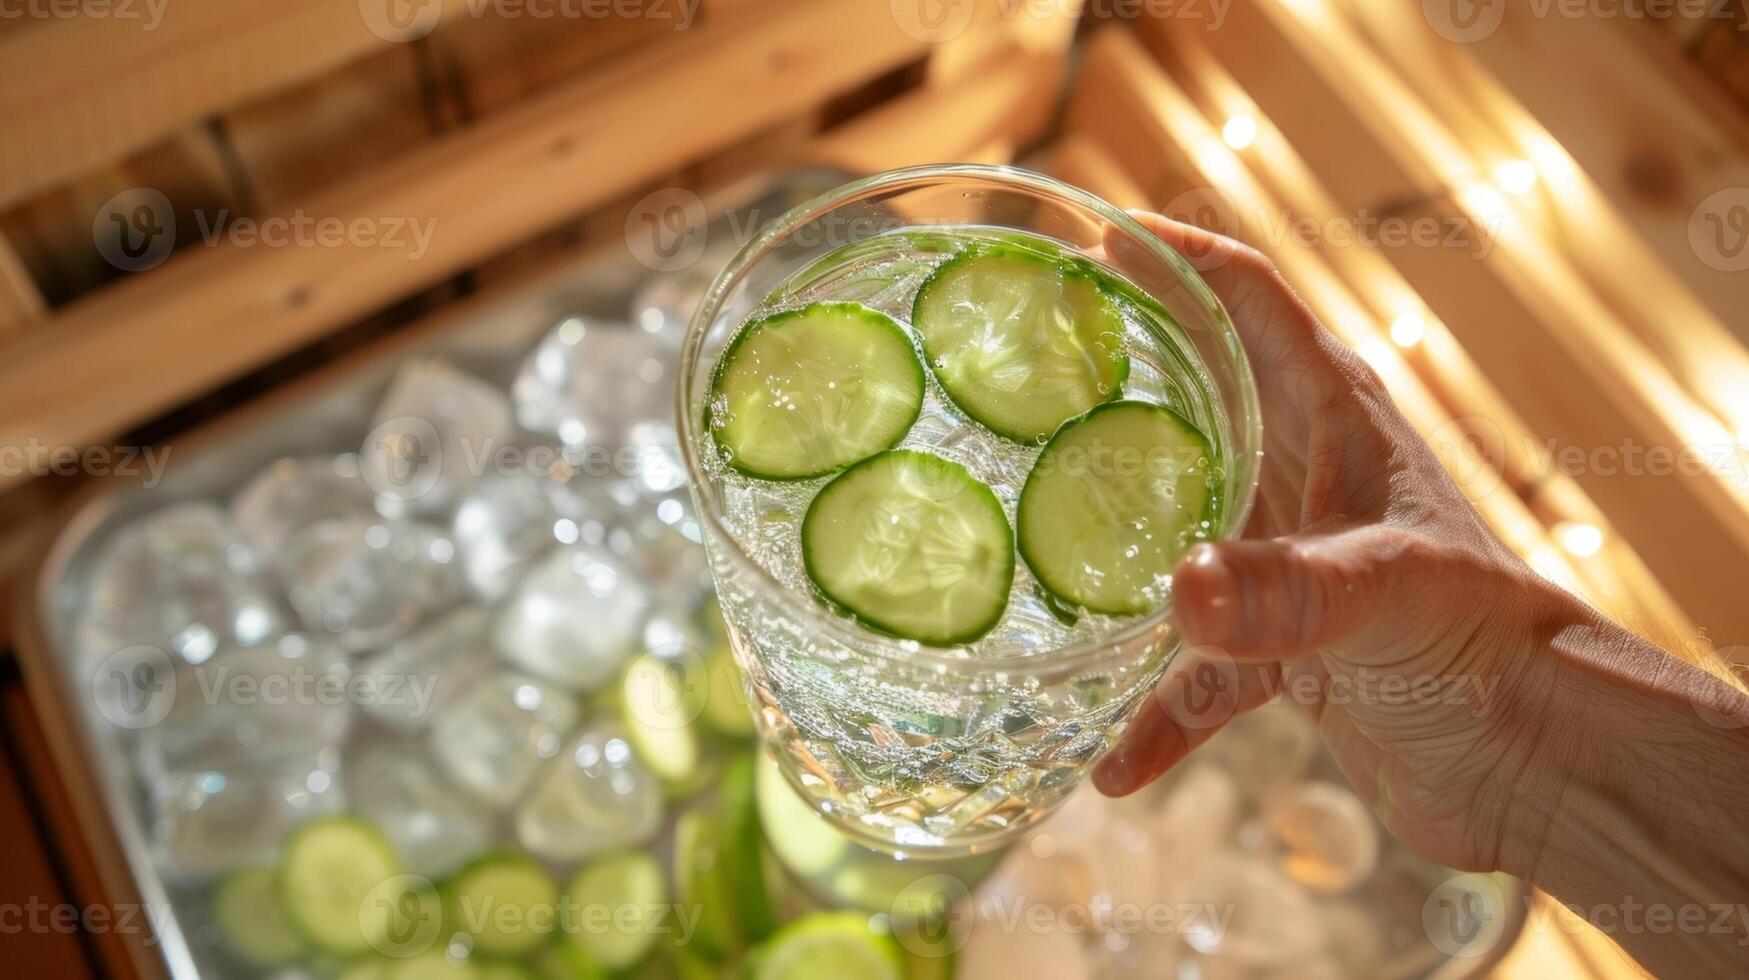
x: 435, y: 435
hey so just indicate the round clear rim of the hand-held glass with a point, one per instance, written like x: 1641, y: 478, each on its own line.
x: 1246, y: 421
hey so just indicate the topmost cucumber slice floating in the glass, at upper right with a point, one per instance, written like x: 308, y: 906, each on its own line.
x: 1021, y: 342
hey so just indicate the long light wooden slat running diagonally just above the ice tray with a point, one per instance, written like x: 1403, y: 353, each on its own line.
x: 158, y: 339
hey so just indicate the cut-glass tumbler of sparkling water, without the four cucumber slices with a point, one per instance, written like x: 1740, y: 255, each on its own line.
x: 945, y: 750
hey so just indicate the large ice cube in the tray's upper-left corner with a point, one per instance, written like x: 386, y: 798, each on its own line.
x: 181, y: 580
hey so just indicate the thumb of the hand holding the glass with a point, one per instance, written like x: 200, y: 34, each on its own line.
x: 1285, y: 596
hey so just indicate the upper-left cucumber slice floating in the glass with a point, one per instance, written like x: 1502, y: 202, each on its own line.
x: 811, y: 391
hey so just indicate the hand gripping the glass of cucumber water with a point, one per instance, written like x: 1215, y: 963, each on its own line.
x: 1363, y: 573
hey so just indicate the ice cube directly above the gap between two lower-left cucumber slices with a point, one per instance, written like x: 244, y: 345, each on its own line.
x: 394, y: 785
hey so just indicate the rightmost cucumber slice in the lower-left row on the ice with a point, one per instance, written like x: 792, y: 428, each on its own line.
x: 620, y: 904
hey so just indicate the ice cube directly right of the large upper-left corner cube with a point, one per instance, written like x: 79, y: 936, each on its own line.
x: 368, y: 584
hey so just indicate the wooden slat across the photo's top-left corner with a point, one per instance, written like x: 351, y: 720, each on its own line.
x: 80, y: 94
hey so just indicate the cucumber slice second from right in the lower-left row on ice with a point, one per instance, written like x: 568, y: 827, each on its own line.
x: 506, y: 900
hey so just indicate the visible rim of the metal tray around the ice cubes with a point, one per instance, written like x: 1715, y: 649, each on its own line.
x: 326, y: 414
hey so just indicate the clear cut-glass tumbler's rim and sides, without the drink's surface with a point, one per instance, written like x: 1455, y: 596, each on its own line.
x: 923, y: 752
